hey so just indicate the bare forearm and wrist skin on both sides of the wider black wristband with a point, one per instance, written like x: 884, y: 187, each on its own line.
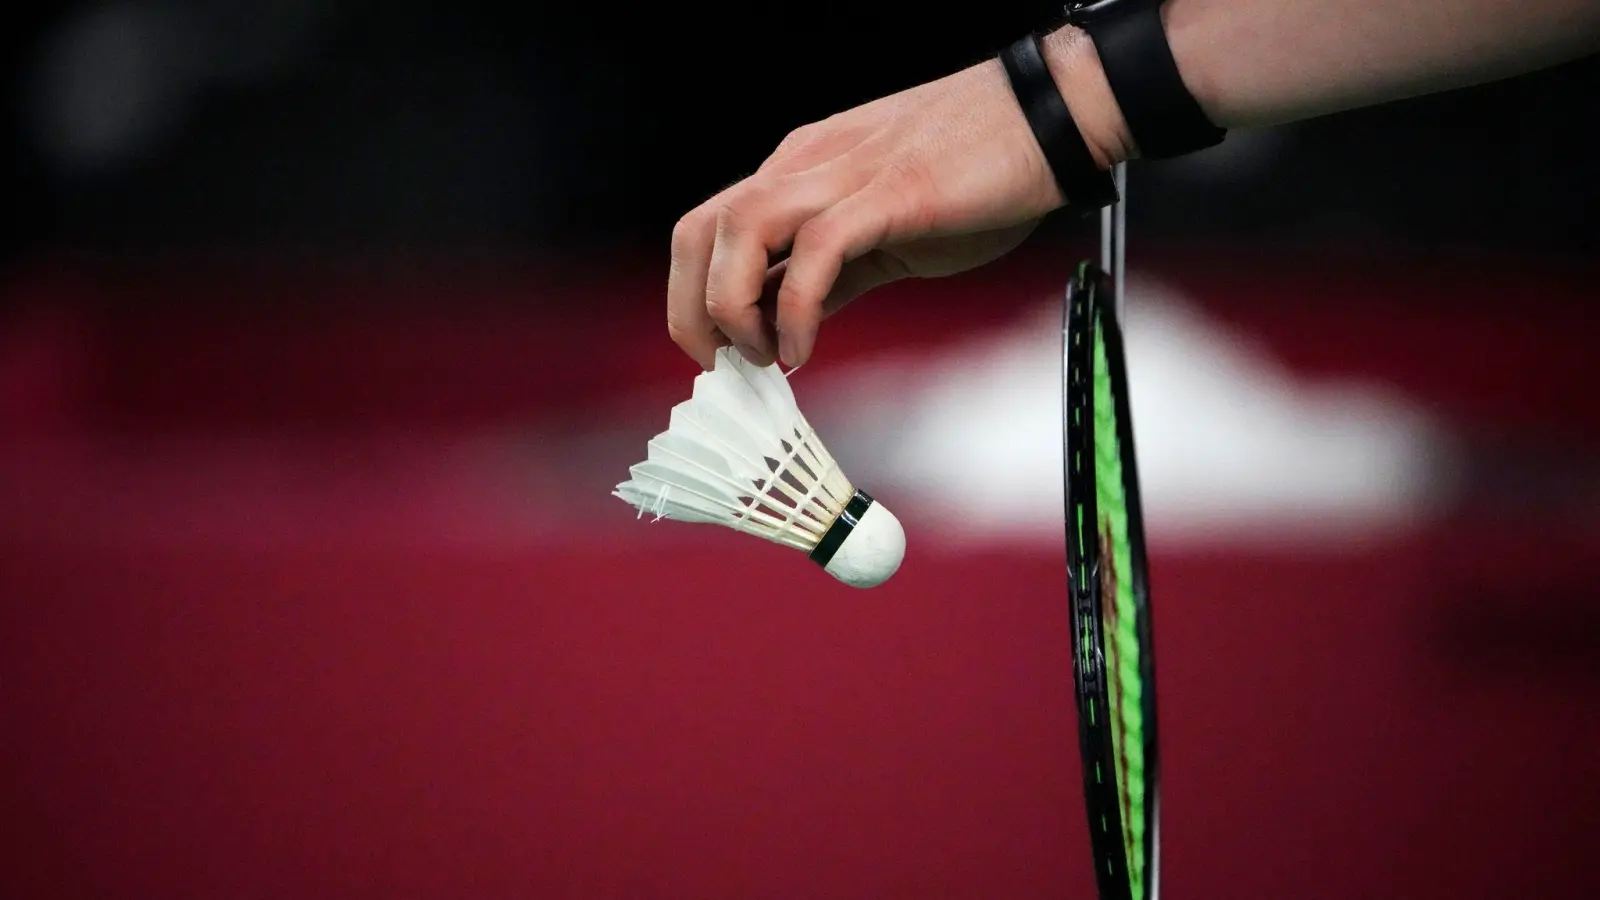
x: 1255, y: 63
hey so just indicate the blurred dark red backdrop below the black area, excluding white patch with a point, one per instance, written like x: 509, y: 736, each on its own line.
x: 274, y: 629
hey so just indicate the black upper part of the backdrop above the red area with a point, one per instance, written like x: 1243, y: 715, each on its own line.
x: 478, y: 124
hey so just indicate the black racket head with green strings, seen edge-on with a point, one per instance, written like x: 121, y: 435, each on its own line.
x: 1114, y: 665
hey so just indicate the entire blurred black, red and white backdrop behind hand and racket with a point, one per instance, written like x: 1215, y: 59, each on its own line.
x: 327, y: 327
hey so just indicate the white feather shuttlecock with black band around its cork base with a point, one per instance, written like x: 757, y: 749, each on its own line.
x: 740, y: 454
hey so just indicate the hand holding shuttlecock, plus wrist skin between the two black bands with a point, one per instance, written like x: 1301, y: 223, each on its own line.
x: 930, y: 182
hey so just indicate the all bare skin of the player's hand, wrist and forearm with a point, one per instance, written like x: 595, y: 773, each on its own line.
x: 948, y: 177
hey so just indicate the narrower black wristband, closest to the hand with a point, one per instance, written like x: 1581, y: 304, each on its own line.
x: 1084, y: 185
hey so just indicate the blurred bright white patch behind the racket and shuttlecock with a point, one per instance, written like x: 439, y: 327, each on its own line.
x: 1231, y: 444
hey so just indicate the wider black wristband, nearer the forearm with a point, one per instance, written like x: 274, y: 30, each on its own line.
x: 1164, y: 118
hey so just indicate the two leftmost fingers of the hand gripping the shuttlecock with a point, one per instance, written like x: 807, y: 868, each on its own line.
x: 721, y: 260
